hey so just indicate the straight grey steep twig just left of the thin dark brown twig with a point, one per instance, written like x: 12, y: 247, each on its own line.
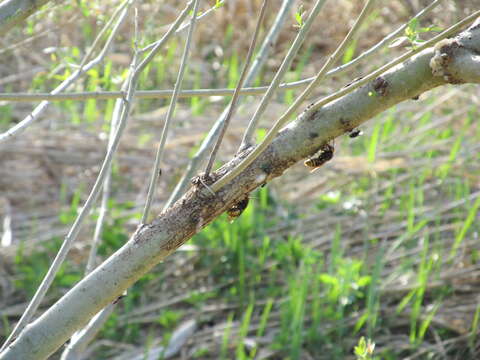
x: 168, y: 120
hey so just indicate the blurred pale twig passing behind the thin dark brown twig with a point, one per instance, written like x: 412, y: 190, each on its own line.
x: 259, y: 61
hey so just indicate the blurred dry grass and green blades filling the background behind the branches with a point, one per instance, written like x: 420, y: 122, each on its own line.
x: 381, y: 243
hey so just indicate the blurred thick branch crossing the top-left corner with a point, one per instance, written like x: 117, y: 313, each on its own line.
x: 13, y: 12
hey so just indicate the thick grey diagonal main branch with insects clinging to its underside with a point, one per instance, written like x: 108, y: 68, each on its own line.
x: 303, y: 137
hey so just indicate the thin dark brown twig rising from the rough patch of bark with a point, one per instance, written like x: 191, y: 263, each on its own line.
x: 236, y: 94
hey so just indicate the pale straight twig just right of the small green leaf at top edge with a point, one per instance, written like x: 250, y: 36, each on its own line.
x: 287, y: 61
